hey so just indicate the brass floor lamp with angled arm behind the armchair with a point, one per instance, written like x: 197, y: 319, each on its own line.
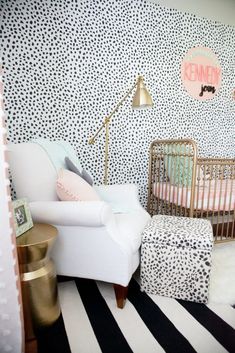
x: 141, y: 100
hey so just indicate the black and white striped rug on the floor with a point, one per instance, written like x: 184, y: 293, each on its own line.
x: 91, y: 323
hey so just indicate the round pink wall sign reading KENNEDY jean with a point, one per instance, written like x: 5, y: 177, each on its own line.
x: 201, y: 73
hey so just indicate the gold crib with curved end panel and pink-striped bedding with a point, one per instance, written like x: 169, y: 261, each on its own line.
x: 181, y: 183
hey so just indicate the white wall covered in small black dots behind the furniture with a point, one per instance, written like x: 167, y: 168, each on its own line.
x: 67, y: 63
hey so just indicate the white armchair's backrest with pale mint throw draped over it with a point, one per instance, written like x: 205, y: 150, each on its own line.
x: 35, y: 165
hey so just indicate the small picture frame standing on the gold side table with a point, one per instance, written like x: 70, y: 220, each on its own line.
x: 22, y: 216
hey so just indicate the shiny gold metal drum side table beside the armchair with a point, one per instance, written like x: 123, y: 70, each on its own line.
x: 38, y: 277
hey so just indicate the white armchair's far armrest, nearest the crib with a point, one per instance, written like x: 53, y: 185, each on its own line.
x: 122, y: 198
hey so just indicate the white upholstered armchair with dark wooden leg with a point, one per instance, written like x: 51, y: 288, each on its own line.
x: 94, y: 241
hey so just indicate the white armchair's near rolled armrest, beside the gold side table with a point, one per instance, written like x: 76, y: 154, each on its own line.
x: 71, y: 213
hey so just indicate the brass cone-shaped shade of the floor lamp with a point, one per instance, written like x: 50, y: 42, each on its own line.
x: 142, y: 98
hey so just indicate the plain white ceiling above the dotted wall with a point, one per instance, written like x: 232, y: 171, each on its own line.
x: 217, y: 10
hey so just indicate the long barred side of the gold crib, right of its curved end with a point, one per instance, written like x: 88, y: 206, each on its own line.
x: 215, y: 195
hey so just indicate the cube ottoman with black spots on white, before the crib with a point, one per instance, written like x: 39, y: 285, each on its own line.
x: 176, y: 257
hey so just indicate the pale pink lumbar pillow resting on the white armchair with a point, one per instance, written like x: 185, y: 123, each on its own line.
x: 71, y: 187
